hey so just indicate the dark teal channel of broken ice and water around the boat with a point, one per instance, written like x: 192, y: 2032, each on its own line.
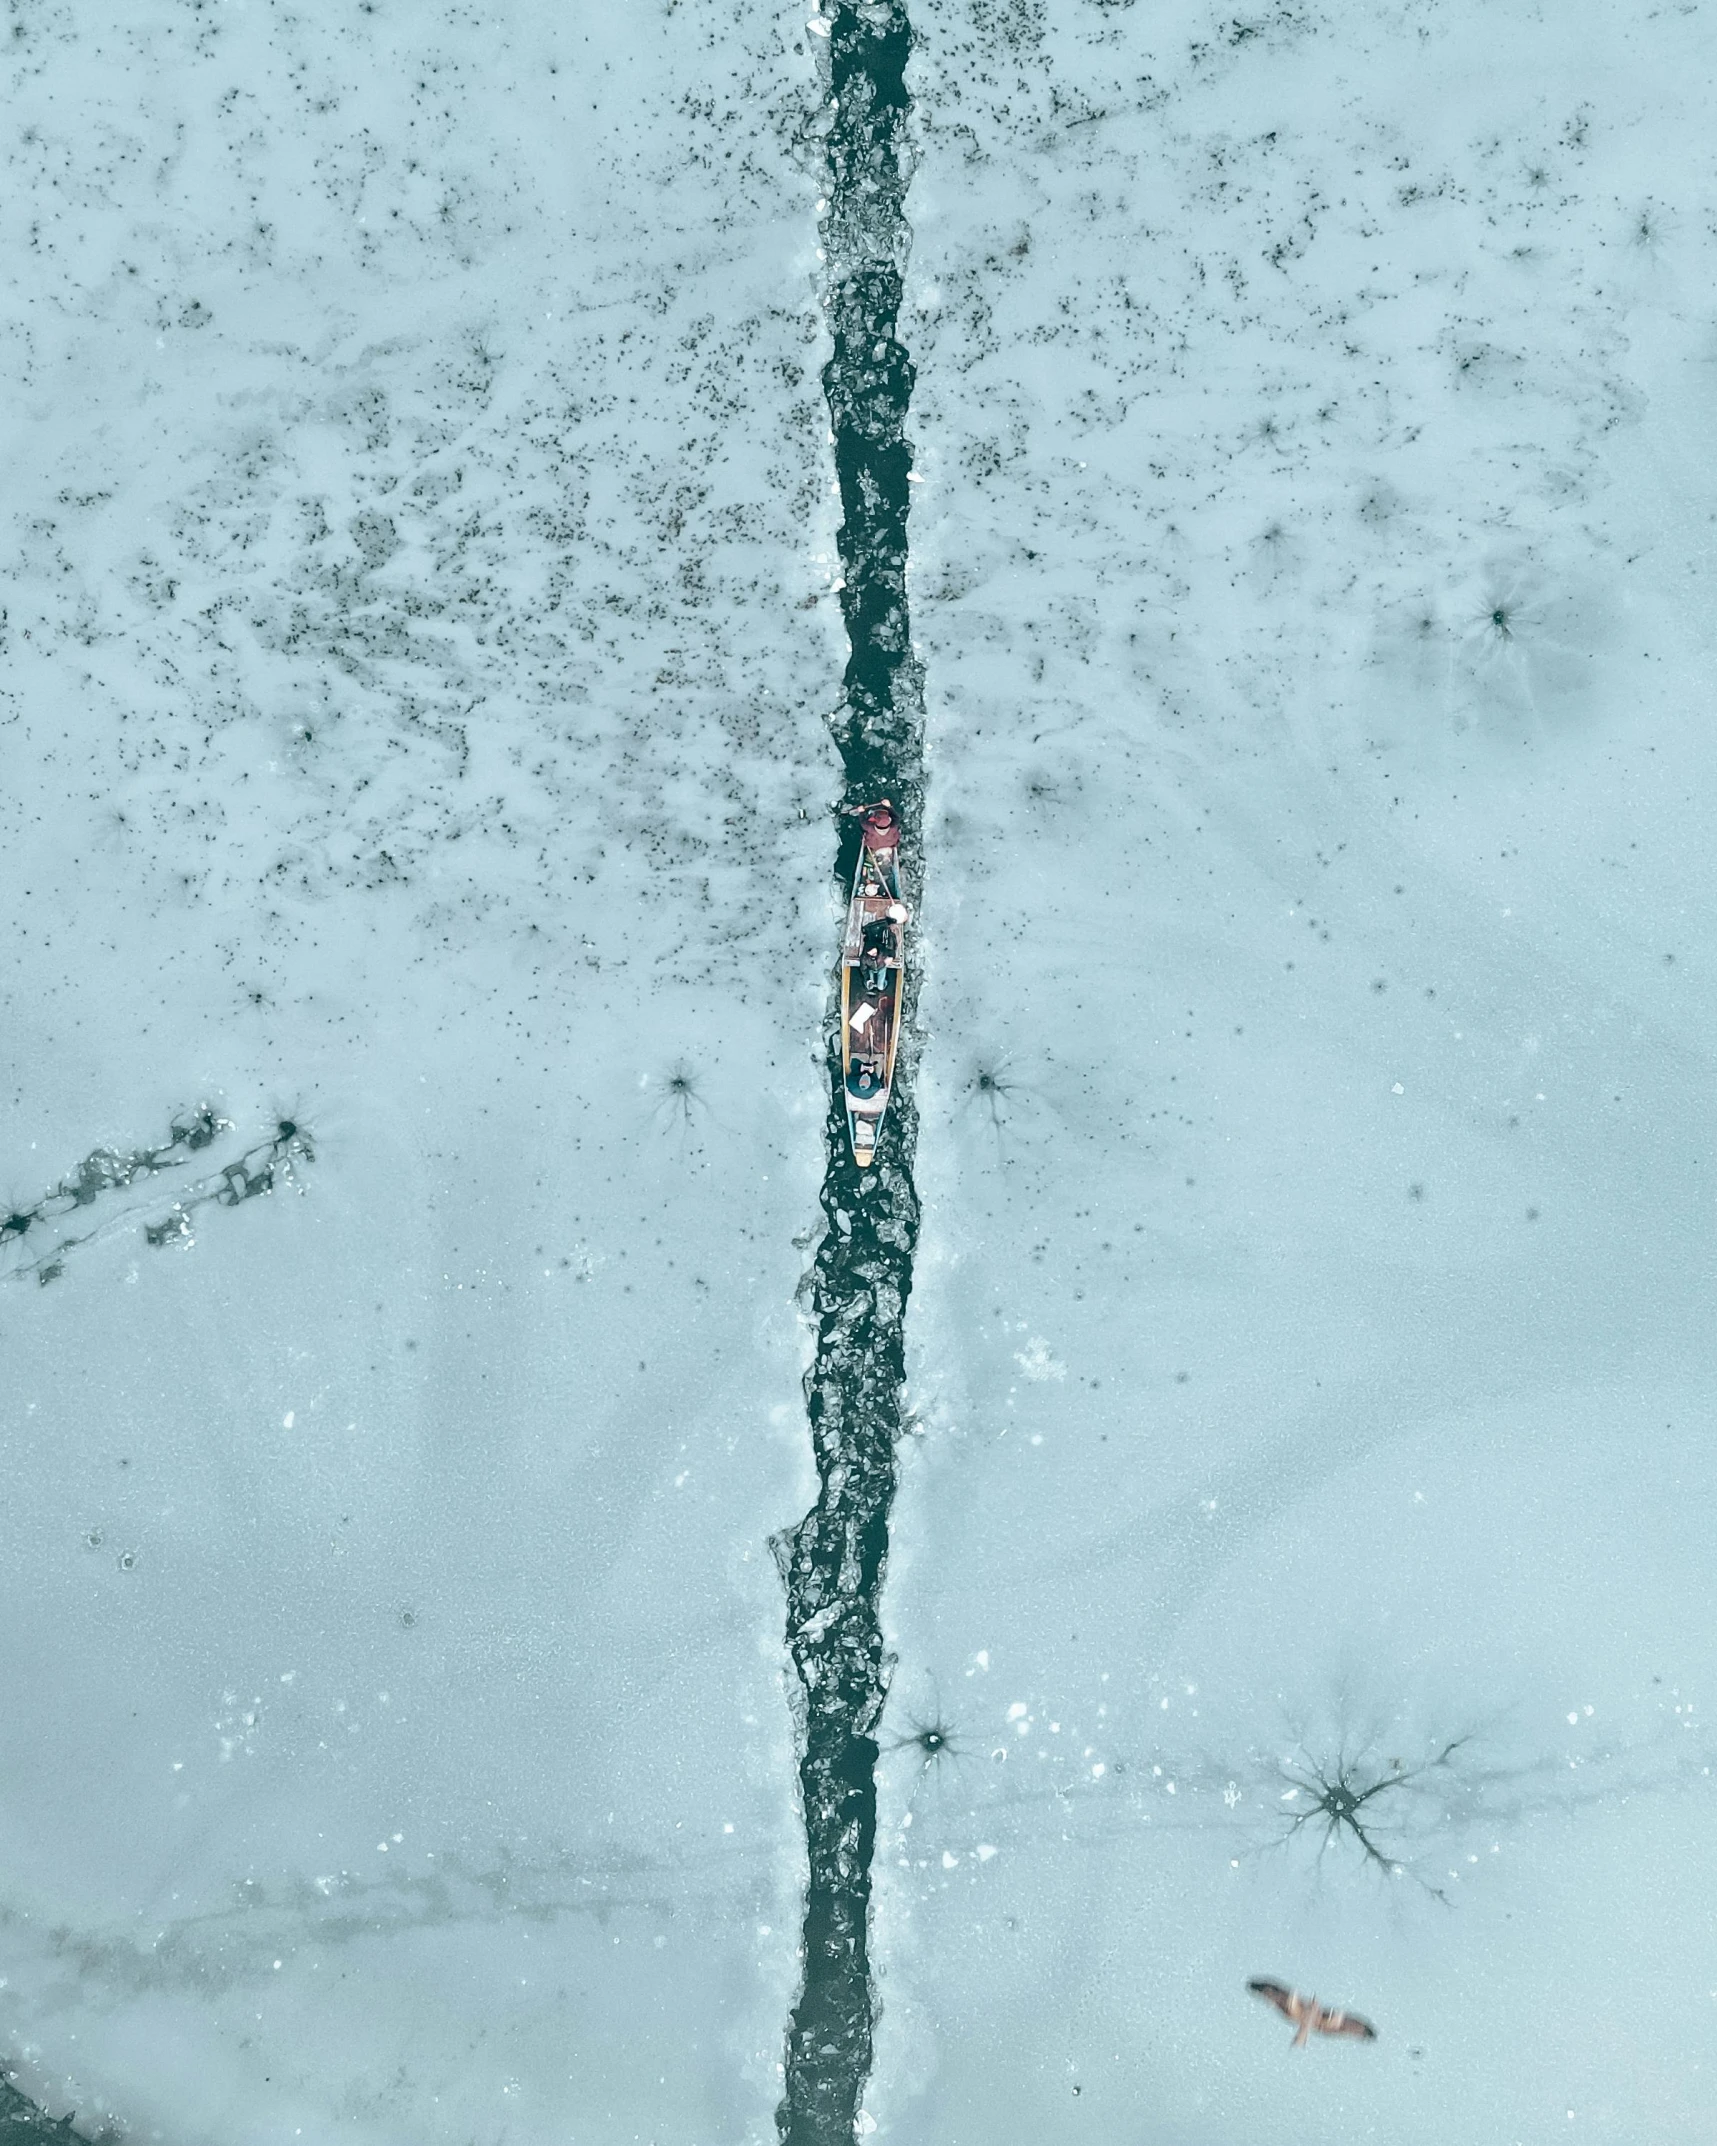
x: 834, y: 1561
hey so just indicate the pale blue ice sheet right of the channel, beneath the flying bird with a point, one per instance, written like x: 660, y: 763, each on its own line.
x: 1312, y: 1321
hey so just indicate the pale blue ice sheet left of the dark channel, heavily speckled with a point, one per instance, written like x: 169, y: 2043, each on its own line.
x: 417, y: 583
